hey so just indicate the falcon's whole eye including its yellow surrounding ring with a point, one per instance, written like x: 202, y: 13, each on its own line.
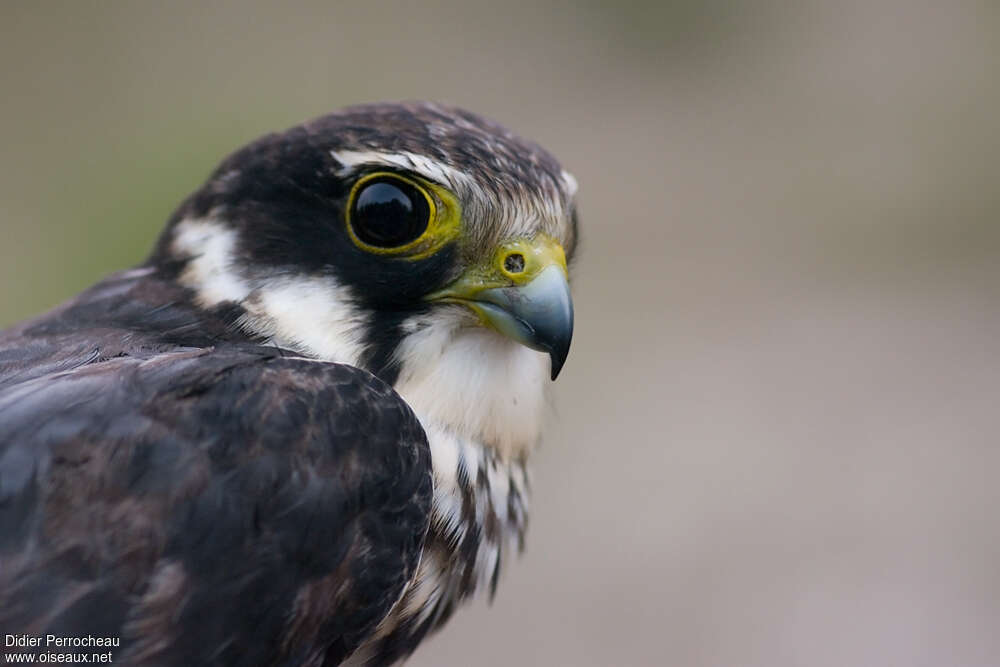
x: 396, y: 205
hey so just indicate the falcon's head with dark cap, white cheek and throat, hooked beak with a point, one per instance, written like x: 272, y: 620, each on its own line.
x: 423, y: 243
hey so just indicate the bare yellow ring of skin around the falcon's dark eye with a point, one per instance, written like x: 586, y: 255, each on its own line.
x: 445, y: 218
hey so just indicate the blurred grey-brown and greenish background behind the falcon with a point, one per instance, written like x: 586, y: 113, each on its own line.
x: 776, y: 436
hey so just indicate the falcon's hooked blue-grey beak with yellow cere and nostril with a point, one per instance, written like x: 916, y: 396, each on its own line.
x: 523, y: 293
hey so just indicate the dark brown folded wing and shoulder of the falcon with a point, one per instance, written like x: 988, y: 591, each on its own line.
x: 150, y: 496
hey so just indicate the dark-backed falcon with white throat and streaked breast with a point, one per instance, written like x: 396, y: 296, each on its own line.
x: 298, y: 433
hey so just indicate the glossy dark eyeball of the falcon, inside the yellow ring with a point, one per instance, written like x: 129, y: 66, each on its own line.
x: 389, y: 213
